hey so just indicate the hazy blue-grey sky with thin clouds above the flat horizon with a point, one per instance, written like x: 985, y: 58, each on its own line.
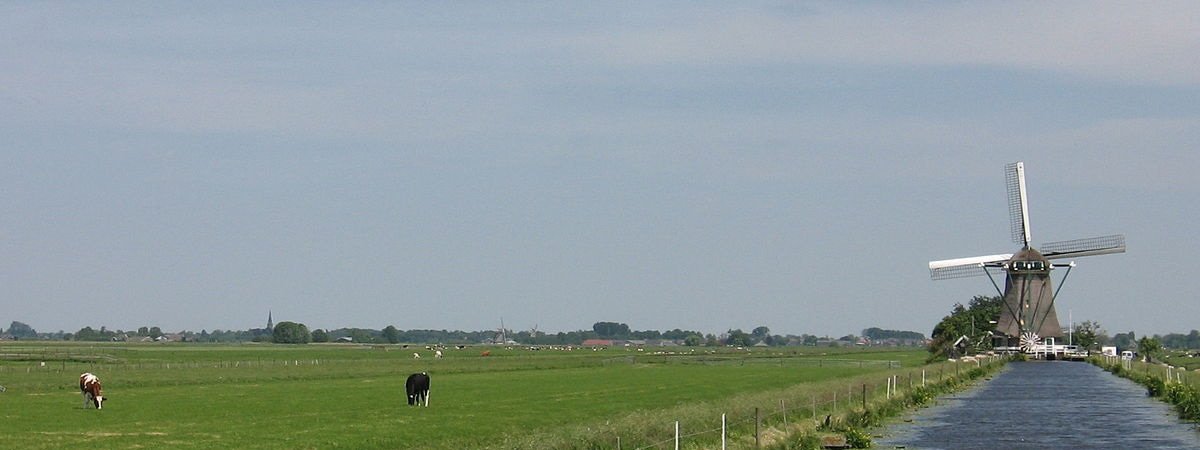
x: 704, y: 166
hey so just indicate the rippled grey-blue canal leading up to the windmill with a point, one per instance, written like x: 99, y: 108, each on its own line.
x: 1047, y: 405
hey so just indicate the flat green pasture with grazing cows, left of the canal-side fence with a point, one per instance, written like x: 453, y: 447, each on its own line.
x: 353, y: 397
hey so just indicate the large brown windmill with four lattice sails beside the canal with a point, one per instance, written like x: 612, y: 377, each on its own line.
x: 1028, y: 315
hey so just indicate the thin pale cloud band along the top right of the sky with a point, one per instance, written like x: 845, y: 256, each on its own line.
x: 1126, y: 43
